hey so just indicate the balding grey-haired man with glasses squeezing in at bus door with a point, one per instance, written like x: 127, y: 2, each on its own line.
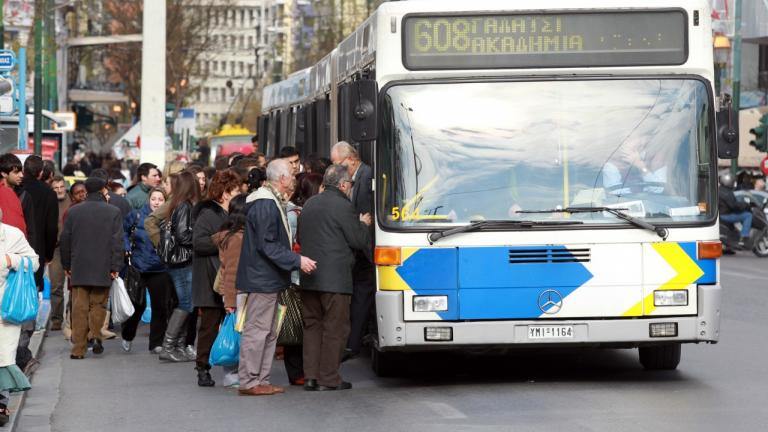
x: 363, y: 273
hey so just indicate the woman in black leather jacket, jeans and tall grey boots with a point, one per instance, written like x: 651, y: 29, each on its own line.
x: 178, y: 345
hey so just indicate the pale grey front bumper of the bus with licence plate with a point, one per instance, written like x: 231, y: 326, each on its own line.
x: 397, y: 334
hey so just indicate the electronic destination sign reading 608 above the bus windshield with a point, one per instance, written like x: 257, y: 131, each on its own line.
x: 573, y: 39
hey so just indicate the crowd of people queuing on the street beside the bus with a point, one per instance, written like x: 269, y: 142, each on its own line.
x: 247, y: 236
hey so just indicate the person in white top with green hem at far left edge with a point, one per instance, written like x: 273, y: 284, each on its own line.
x: 14, y: 250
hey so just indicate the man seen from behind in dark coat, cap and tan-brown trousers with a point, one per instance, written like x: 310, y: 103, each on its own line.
x: 91, y: 255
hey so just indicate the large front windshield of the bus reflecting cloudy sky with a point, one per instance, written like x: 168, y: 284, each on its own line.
x: 455, y: 153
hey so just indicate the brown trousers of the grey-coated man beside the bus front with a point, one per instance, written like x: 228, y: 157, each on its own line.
x: 326, y: 329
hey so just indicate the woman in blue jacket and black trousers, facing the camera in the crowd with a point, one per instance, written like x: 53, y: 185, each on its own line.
x: 153, y: 275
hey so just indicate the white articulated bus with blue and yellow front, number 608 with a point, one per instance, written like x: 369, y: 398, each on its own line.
x: 545, y: 175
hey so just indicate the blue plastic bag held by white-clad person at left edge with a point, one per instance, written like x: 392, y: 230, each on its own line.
x: 20, y: 298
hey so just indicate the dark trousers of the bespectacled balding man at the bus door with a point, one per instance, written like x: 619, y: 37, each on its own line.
x: 361, y: 308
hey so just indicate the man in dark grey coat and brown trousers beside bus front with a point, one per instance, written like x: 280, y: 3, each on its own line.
x: 330, y: 231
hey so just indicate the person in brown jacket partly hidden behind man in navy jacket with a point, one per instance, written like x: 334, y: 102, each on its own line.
x: 229, y: 240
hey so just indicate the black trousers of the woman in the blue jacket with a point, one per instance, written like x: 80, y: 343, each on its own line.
x: 160, y: 287
